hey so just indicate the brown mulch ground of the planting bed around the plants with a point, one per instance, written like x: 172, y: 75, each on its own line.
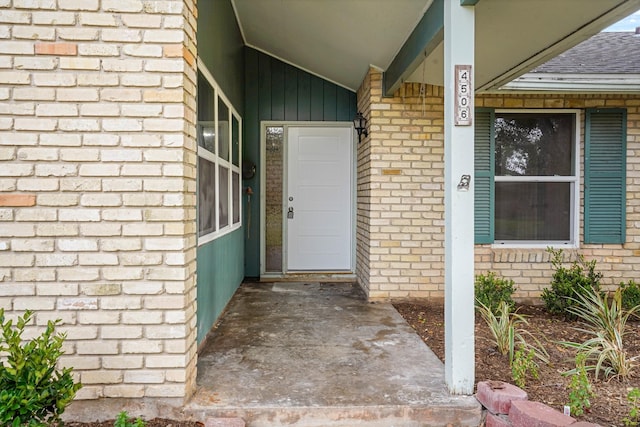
x: 609, y: 406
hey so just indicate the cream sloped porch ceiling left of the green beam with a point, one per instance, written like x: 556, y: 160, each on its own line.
x: 335, y: 39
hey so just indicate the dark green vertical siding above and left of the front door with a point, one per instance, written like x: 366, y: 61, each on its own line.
x: 278, y: 91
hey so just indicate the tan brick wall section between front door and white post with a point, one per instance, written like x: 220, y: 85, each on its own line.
x: 400, y: 192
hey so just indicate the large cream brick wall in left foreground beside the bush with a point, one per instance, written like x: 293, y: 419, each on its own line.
x: 97, y: 186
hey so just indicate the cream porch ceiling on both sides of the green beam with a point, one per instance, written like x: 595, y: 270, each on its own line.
x: 339, y: 39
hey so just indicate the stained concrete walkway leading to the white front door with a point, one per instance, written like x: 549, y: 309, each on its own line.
x: 293, y: 354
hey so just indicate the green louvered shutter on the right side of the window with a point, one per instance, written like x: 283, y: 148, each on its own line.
x: 605, y: 175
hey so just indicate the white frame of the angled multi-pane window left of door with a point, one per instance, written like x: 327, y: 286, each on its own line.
x: 219, y: 162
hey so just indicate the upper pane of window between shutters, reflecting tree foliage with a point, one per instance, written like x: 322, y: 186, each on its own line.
x: 534, y: 144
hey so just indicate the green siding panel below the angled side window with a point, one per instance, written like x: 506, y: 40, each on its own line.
x: 220, y: 271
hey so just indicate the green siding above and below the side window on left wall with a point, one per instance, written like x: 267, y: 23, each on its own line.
x: 220, y: 263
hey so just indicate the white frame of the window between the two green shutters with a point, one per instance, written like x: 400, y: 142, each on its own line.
x: 575, y: 180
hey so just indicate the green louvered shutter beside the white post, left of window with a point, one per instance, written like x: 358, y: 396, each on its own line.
x: 484, y: 160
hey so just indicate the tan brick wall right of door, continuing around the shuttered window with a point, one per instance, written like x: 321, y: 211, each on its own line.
x: 401, y: 195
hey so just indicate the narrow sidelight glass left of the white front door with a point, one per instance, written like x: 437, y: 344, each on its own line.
x: 274, y: 198
